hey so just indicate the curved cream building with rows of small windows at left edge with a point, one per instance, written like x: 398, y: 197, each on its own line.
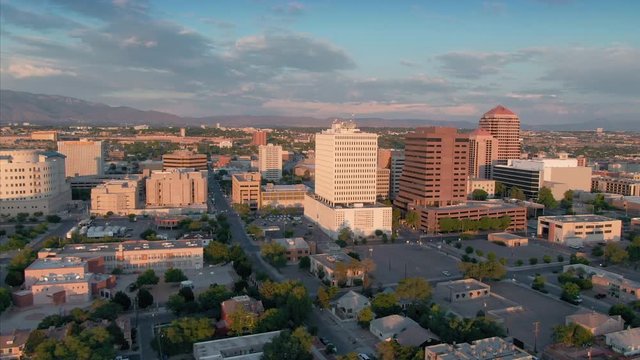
x: 32, y: 181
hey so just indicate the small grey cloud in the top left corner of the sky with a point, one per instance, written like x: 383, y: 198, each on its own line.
x: 26, y: 19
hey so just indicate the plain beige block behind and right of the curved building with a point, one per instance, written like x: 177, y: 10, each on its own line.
x: 84, y: 157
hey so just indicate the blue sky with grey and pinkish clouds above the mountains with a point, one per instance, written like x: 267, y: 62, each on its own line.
x: 550, y: 61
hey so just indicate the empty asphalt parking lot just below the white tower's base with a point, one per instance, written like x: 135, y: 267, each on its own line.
x: 393, y: 261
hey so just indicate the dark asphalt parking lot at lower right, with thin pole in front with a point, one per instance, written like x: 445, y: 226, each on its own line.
x: 537, y: 307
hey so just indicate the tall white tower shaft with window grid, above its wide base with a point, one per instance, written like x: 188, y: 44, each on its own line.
x: 346, y: 163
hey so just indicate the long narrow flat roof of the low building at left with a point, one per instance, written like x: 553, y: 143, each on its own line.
x: 127, y: 246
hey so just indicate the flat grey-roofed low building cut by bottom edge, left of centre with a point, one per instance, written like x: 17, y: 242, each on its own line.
x: 248, y: 347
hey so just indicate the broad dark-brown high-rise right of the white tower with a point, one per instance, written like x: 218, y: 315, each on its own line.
x: 435, y: 169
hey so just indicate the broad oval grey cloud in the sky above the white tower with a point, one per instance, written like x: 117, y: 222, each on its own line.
x: 291, y: 50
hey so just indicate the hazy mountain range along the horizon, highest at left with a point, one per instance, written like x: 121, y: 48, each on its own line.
x: 17, y: 106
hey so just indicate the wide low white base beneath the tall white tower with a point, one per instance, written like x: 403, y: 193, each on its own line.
x: 362, y: 219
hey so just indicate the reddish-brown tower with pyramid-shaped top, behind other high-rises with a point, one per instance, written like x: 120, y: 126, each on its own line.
x: 504, y: 125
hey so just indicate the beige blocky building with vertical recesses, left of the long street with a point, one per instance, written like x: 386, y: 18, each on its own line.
x: 177, y: 188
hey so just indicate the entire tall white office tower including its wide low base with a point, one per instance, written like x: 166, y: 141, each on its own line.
x: 345, y: 182
